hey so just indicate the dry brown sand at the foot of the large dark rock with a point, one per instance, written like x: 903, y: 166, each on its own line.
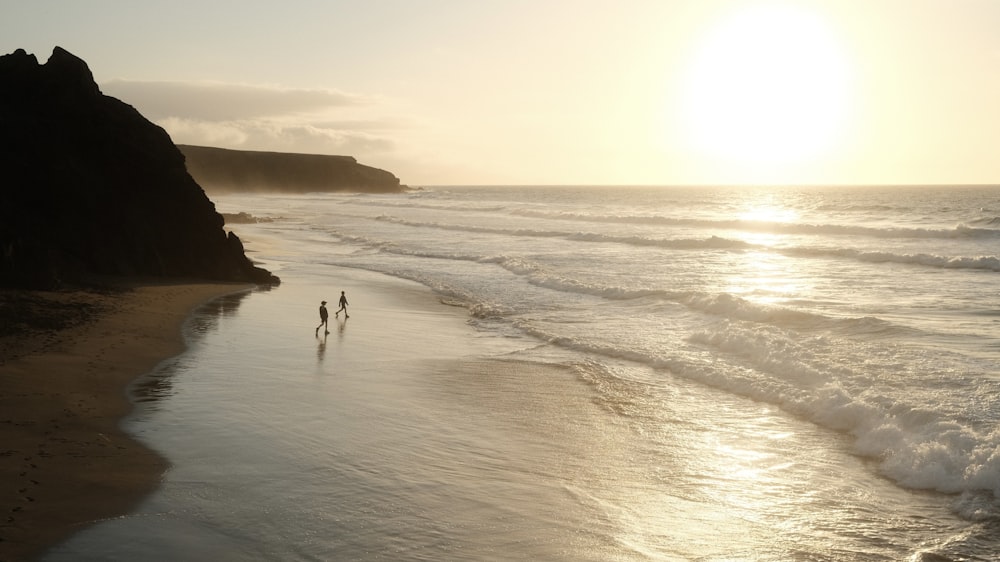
x: 65, y: 460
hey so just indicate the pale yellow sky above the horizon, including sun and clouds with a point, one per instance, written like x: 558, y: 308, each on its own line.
x: 543, y: 92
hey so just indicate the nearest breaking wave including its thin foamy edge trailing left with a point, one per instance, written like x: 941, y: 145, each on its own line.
x: 915, y: 446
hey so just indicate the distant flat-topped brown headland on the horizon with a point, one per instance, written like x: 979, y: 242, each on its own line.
x: 218, y: 169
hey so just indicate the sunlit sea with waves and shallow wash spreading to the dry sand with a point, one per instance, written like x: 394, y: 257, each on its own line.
x: 587, y: 373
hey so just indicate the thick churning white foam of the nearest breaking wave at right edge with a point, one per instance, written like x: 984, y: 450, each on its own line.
x: 916, y: 446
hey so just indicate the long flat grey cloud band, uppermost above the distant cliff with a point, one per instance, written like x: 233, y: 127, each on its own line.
x: 218, y: 101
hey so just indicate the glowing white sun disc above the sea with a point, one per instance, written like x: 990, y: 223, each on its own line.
x: 768, y: 87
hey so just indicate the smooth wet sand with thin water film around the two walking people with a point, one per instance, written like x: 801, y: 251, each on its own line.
x: 401, y: 434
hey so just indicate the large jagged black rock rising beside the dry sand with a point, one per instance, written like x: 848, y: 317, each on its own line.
x: 88, y: 187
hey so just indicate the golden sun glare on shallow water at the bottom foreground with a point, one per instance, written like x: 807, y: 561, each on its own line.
x: 733, y: 480
